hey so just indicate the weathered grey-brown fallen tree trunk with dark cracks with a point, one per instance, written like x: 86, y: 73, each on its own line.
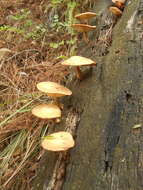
x: 105, y: 112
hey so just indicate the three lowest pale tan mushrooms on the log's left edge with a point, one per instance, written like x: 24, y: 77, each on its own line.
x: 62, y: 140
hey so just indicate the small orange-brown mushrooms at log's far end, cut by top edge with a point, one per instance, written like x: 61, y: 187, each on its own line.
x: 118, y: 7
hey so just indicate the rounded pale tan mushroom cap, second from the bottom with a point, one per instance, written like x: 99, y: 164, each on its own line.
x: 46, y: 111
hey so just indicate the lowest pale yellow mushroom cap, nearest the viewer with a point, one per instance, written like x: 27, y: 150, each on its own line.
x: 59, y: 141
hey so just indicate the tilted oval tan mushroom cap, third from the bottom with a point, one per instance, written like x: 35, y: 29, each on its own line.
x: 53, y: 89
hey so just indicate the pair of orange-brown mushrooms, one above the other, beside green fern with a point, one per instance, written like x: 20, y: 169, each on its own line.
x: 84, y: 27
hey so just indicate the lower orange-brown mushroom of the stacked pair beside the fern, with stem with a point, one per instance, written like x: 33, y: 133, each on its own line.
x: 84, y: 28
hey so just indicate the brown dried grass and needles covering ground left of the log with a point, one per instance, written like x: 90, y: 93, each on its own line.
x: 29, y: 62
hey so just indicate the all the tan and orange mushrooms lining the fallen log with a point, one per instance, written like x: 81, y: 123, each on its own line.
x: 62, y: 141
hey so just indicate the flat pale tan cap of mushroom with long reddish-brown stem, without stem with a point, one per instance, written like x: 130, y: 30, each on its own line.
x: 78, y: 61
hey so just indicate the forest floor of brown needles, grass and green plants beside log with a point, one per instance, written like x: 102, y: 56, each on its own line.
x: 35, y: 43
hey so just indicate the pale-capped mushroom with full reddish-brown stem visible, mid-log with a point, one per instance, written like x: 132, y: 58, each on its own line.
x: 78, y: 61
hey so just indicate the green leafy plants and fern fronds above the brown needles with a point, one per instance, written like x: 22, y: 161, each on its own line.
x: 28, y: 28
